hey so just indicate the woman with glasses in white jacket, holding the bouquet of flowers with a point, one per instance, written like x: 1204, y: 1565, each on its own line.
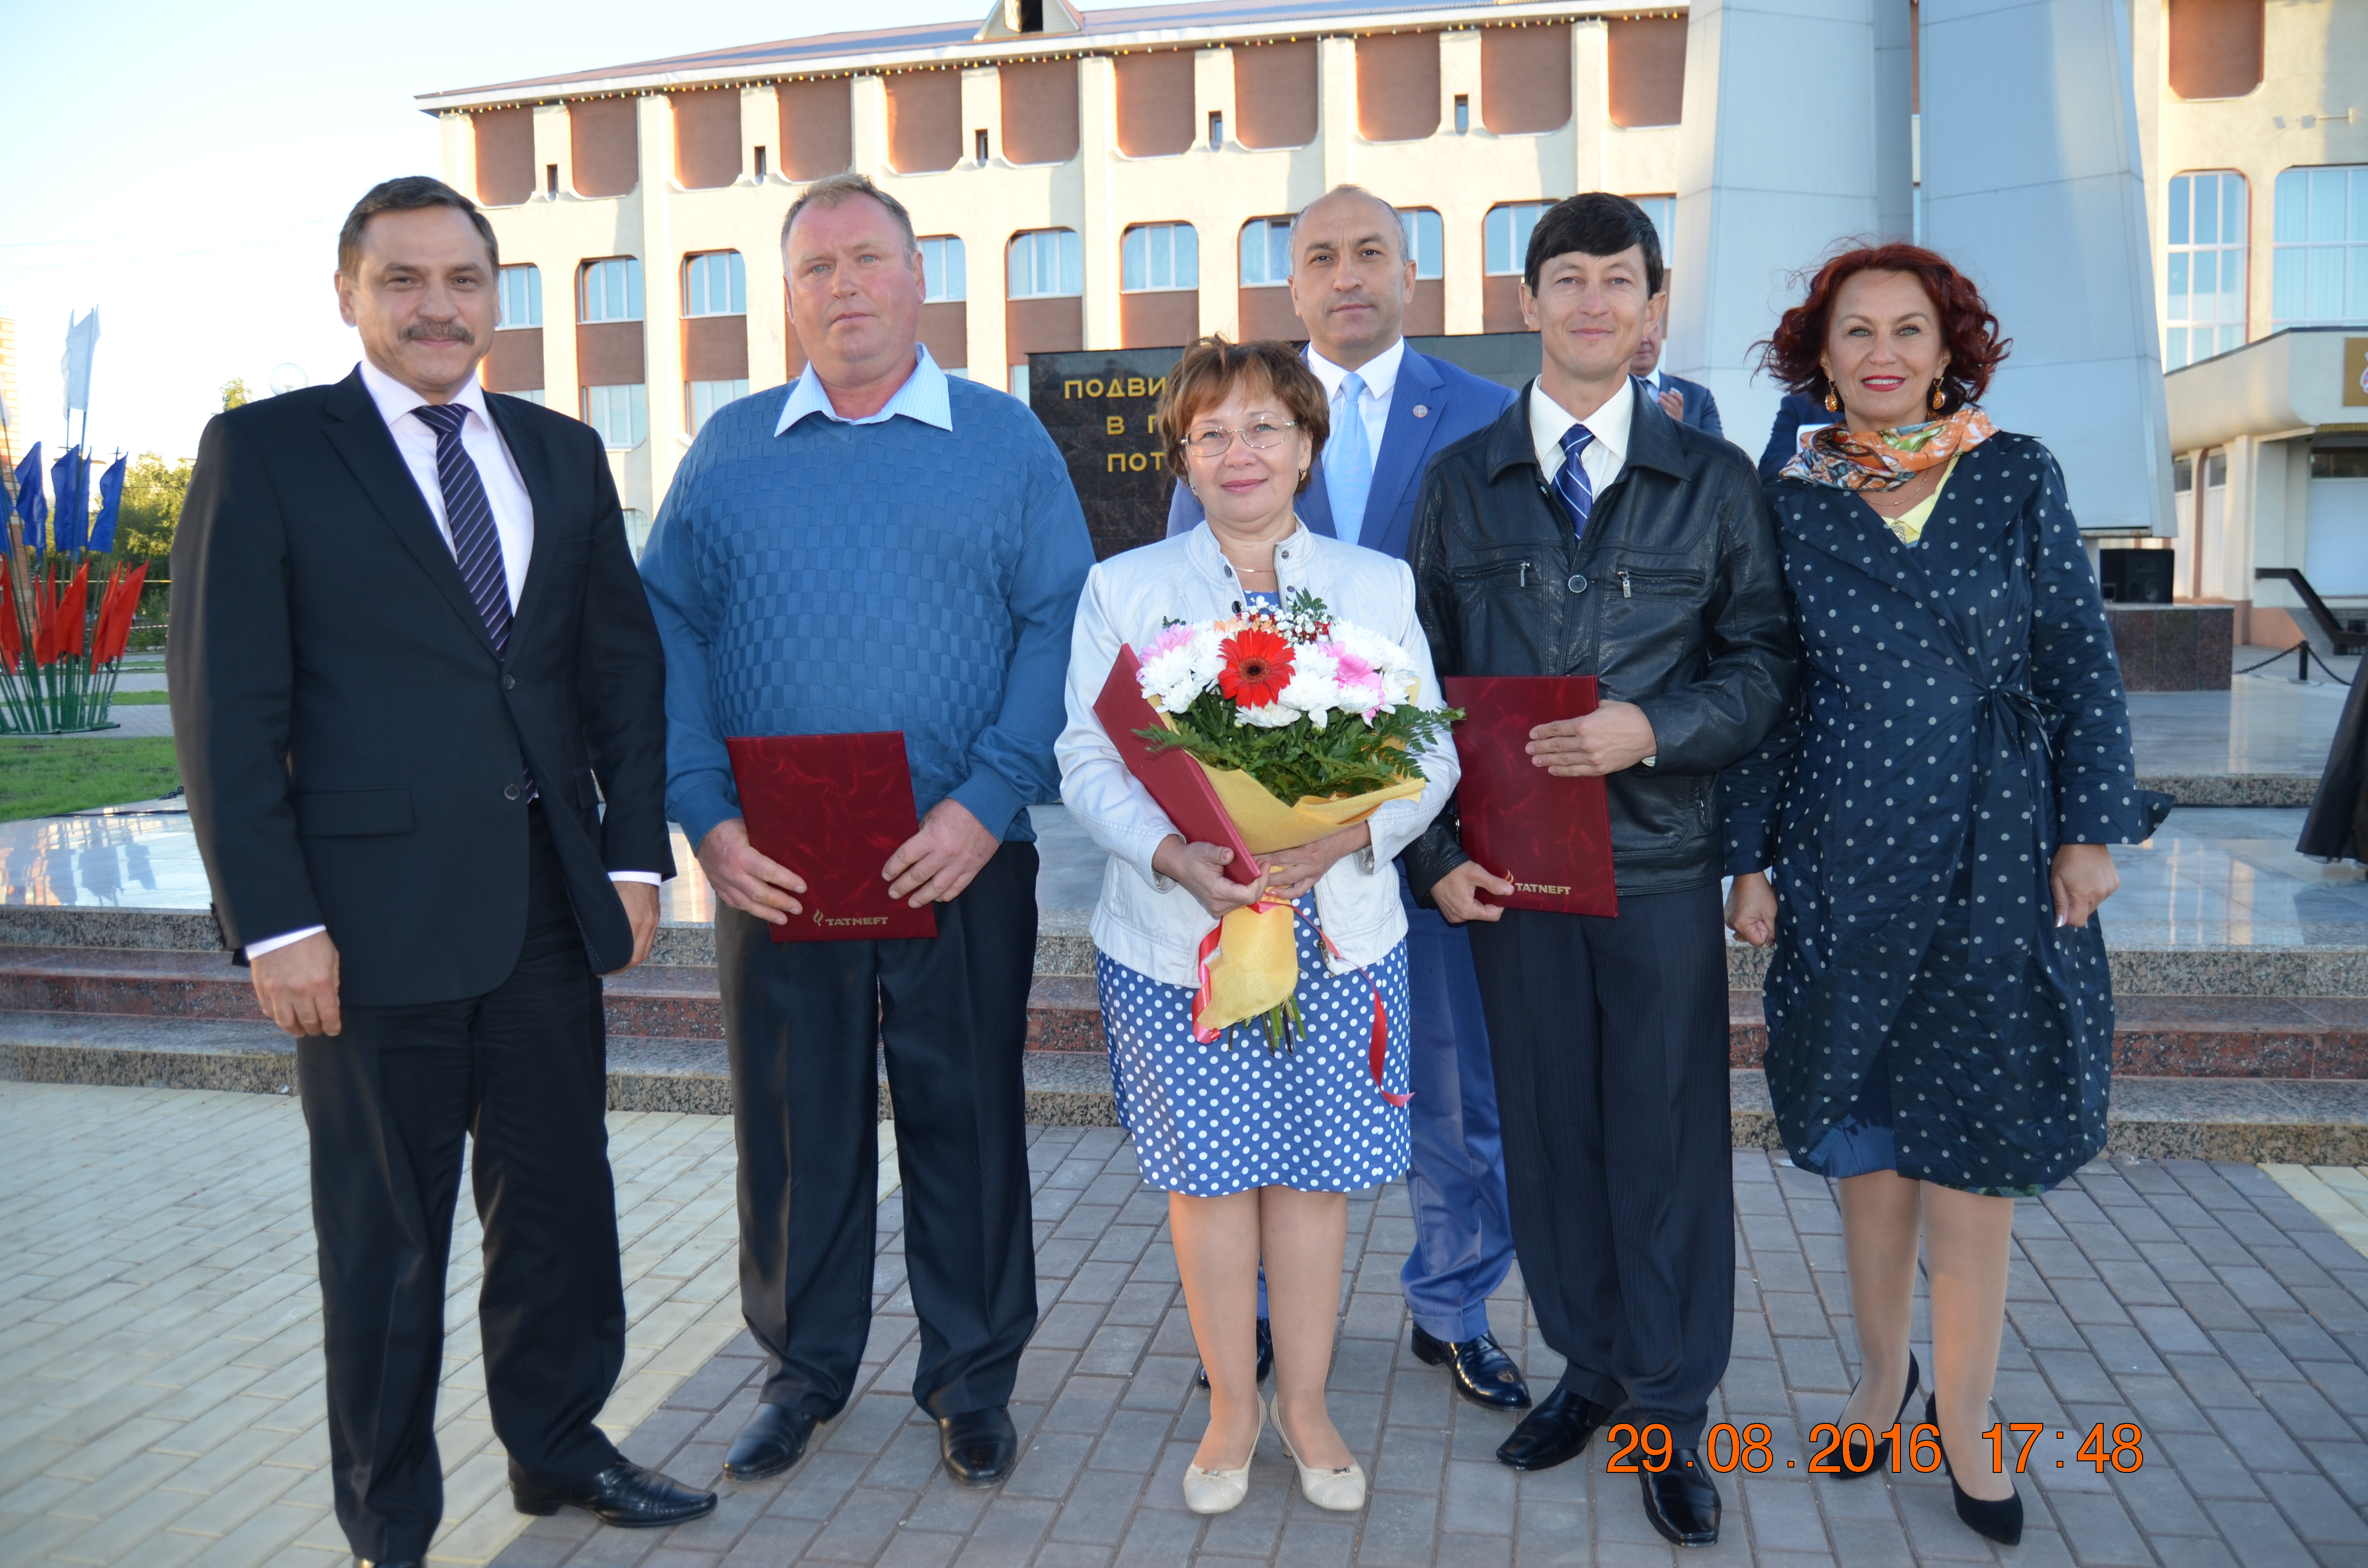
x: 1259, y: 1152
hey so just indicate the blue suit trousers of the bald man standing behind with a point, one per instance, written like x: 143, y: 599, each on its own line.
x: 1462, y: 1221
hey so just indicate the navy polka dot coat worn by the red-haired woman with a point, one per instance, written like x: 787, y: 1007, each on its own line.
x: 1960, y: 716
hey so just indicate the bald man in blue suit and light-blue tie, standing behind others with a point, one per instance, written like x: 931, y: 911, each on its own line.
x: 1391, y: 411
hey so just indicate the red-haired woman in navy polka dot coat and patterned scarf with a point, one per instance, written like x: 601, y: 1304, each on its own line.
x: 1924, y: 837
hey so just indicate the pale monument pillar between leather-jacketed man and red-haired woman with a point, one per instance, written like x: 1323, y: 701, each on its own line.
x: 1768, y: 179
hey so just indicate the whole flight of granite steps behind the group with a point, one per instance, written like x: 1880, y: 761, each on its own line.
x: 2256, y: 1055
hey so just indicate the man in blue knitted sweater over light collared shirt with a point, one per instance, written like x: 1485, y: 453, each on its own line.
x: 875, y: 548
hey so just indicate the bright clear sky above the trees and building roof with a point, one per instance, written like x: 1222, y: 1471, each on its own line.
x: 186, y: 167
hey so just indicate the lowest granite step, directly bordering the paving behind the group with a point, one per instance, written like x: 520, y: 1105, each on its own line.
x: 2229, y: 1119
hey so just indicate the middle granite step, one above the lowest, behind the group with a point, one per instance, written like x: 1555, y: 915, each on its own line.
x: 2158, y: 1036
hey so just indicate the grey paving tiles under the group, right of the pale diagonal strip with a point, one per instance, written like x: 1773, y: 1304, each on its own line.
x: 2201, y: 1304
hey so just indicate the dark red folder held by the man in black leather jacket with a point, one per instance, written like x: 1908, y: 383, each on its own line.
x: 1550, y: 837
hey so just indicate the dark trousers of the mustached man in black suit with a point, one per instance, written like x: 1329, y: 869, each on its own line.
x: 390, y: 1103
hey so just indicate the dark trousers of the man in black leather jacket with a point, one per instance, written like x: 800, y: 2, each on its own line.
x: 1611, y: 1077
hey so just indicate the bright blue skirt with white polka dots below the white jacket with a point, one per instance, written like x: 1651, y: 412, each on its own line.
x: 1228, y: 1117
